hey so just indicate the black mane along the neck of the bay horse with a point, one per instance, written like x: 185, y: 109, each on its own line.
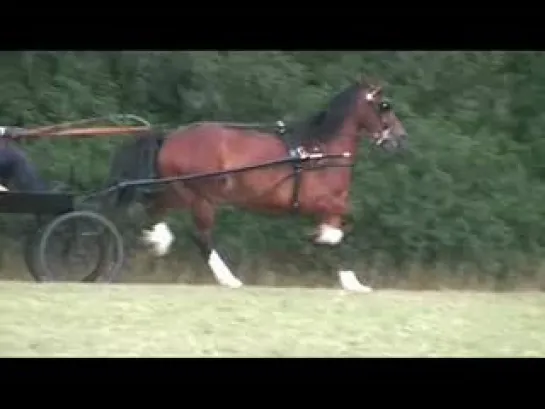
x: 324, y: 125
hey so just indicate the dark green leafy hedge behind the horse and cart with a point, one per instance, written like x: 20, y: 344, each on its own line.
x: 467, y: 197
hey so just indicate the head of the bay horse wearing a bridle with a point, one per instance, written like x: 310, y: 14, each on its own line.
x: 376, y: 115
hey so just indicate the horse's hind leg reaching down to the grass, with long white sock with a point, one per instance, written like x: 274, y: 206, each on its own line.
x: 203, y: 217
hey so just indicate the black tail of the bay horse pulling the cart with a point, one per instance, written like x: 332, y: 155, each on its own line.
x: 134, y: 160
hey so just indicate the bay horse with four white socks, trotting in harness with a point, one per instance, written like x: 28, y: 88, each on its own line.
x: 314, y: 187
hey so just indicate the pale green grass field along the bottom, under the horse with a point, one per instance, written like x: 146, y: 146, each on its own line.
x: 188, y: 321
